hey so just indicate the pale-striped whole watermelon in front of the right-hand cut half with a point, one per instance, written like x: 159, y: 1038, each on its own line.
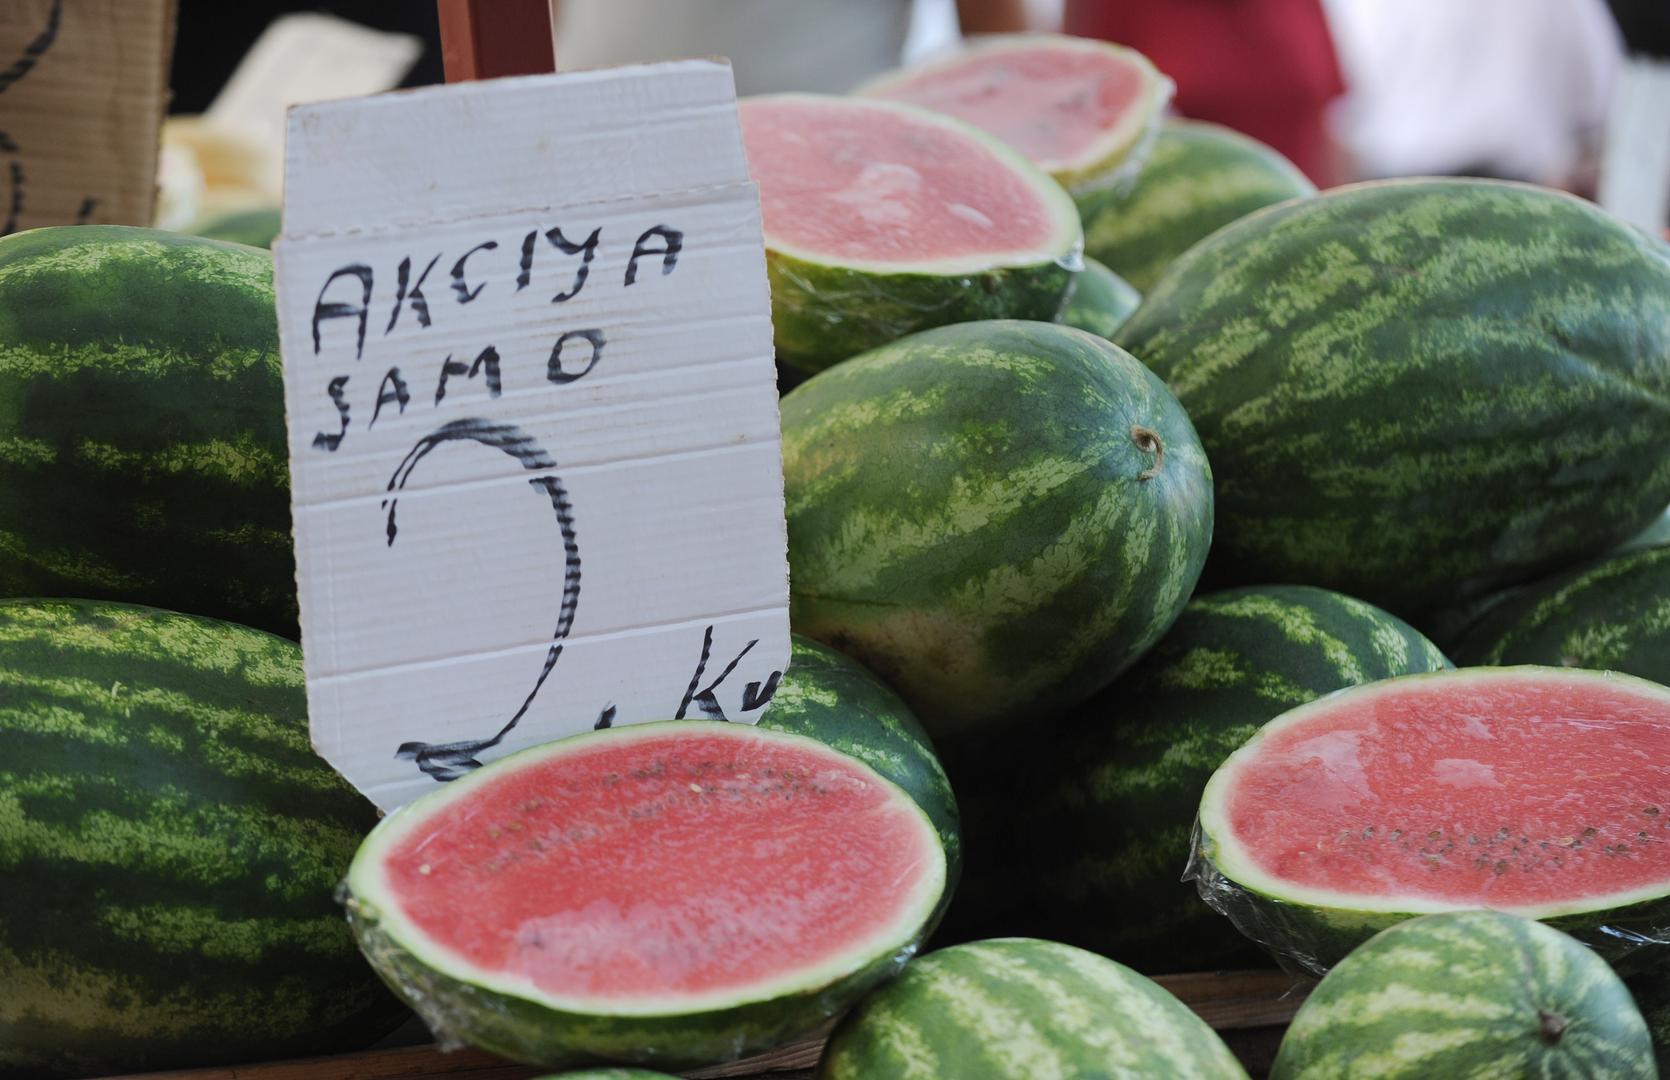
x: 1469, y: 994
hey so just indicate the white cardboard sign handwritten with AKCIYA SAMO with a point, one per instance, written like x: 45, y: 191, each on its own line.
x: 534, y: 421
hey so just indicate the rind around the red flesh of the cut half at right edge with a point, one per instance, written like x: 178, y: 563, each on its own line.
x: 1312, y: 929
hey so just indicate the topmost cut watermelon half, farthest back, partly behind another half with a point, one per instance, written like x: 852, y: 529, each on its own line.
x: 1083, y: 111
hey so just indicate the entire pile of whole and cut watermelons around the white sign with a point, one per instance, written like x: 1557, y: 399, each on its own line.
x: 1190, y: 572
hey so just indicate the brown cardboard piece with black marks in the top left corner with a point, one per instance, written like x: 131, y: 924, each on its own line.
x: 83, y: 93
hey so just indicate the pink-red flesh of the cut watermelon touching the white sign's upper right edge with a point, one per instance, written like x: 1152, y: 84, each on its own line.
x: 884, y: 186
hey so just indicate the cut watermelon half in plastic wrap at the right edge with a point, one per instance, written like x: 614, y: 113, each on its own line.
x: 1539, y: 792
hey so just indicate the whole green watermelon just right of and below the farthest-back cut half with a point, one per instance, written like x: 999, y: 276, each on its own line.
x: 1197, y: 179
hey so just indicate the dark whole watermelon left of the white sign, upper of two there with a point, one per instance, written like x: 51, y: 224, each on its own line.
x: 143, y: 447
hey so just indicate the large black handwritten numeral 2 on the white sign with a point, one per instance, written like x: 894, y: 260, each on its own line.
x: 453, y: 760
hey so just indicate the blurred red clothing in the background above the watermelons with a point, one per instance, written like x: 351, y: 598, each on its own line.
x: 1263, y: 68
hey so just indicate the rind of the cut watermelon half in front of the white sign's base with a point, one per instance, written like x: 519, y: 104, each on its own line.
x: 520, y: 1022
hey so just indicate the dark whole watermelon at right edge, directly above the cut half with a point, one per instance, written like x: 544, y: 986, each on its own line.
x: 1612, y: 615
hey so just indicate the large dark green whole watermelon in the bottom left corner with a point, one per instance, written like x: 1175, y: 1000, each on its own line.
x: 170, y: 847
